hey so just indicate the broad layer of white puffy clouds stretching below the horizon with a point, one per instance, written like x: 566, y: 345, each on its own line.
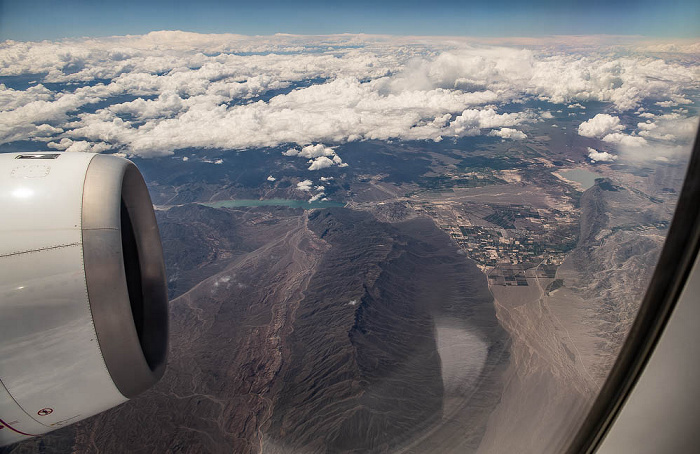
x: 153, y: 94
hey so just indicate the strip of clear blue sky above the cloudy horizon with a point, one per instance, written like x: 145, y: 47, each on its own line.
x: 35, y: 20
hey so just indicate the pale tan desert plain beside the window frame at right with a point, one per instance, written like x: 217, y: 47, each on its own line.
x: 566, y: 337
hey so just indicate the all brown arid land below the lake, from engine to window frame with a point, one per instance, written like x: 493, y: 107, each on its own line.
x: 368, y: 329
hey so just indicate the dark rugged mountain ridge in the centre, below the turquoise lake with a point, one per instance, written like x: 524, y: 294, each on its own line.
x: 365, y: 371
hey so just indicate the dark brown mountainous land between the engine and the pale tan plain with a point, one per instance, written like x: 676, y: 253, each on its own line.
x: 326, y: 331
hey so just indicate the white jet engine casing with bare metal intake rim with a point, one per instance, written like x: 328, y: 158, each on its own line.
x: 83, y: 300
